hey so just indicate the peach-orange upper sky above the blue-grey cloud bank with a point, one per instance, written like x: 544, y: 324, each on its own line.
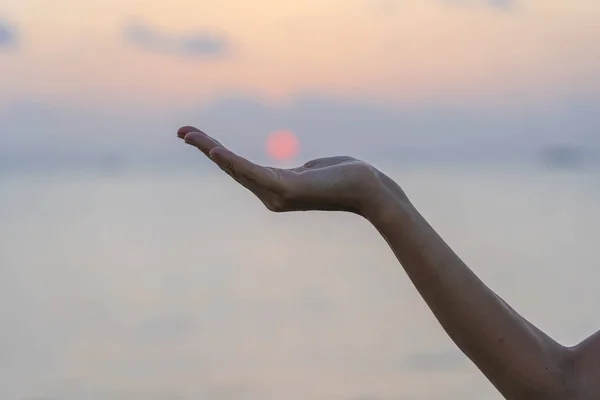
x: 115, y: 55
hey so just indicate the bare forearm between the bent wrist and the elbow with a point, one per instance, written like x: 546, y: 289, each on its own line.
x: 518, y: 358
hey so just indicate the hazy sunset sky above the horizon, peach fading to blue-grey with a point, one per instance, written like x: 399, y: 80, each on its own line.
x: 359, y: 76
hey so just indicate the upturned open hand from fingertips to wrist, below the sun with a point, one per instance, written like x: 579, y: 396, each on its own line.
x: 332, y: 183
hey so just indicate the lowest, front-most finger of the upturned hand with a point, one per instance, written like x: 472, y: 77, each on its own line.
x: 251, y: 175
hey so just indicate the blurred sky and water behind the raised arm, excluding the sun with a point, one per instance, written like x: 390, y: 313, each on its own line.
x: 130, y: 268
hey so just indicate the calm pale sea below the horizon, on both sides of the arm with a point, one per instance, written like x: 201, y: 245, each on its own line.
x: 175, y: 284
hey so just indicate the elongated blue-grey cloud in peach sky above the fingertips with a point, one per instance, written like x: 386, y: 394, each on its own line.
x: 200, y: 44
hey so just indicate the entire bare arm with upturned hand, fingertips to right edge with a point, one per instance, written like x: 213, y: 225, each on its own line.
x: 520, y: 360
